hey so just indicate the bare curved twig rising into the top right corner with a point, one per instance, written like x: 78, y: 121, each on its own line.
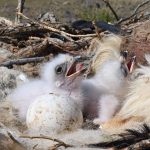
x: 134, y: 12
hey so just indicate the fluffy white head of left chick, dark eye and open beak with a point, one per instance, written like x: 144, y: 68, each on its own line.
x: 64, y: 72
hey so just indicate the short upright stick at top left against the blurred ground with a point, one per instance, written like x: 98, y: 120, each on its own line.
x: 20, y: 8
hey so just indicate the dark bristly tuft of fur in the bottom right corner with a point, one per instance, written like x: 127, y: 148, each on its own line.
x: 130, y: 139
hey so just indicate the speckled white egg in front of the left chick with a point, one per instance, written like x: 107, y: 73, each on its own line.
x: 52, y: 113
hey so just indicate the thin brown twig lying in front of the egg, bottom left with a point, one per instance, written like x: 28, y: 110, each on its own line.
x: 60, y: 143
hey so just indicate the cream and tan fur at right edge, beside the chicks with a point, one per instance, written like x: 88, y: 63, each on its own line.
x: 135, y: 110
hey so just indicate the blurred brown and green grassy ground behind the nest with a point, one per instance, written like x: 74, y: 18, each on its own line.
x: 70, y: 10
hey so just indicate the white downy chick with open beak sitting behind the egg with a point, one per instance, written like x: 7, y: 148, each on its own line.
x: 53, y: 80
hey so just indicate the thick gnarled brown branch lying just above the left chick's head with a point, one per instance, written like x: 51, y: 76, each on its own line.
x: 49, y: 45
